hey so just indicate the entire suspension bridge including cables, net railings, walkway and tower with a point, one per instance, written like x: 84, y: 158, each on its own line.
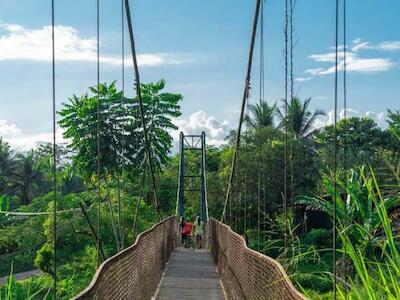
x: 156, y: 265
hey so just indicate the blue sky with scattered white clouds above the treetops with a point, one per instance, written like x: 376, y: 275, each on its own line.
x: 200, y: 49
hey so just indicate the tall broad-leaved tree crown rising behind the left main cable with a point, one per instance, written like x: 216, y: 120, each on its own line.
x: 121, y: 134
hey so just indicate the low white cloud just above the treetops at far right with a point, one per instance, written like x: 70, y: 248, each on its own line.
x: 379, y: 118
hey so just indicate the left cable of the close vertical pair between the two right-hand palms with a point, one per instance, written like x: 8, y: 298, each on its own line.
x: 286, y: 126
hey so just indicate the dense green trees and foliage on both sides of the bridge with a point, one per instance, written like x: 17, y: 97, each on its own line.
x: 367, y: 199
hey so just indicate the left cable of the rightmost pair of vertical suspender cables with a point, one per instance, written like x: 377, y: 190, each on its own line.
x: 335, y: 151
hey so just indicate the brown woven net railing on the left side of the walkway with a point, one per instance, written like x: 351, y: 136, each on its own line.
x: 135, y: 272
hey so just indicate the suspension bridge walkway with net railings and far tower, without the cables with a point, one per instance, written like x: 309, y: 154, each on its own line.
x: 157, y: 266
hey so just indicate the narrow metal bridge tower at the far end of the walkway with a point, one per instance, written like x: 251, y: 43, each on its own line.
x: 193, y: 181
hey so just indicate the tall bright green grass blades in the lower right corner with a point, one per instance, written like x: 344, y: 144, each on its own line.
x: 377, y: 277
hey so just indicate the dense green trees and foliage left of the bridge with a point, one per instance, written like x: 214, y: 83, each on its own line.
x: 26, y: 240
